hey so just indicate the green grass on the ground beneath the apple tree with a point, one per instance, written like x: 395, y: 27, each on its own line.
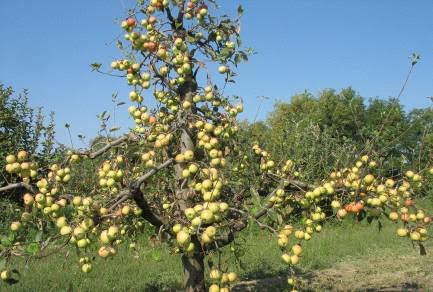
x: 352, y: 244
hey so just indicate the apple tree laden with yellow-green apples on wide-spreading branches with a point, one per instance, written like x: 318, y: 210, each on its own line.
x: 181, y: 168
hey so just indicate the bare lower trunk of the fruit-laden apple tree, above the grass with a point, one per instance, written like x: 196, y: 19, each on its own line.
x: 193, y: 269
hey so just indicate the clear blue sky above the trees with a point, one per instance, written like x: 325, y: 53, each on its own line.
x: 47, y: 46
